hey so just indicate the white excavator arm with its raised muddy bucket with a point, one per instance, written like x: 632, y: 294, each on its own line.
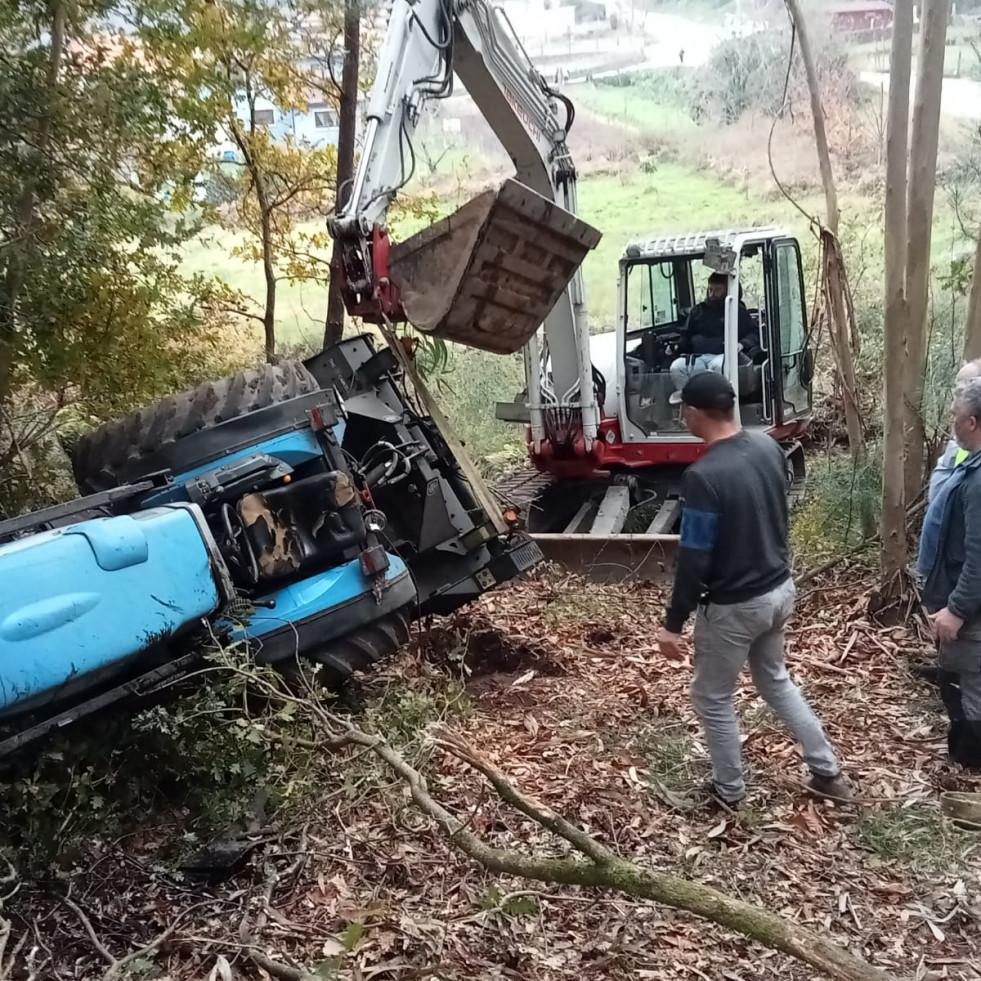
x: 492, y: 272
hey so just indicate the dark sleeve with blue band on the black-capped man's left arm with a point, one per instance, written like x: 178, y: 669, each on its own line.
x: 699, y: 532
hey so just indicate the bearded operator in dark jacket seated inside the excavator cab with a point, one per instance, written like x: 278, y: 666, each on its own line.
x: 702, y: 342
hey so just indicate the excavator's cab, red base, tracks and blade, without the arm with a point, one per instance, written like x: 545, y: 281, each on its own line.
x: 611, y: 510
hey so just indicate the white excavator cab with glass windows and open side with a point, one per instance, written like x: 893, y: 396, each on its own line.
x: 660, y: 338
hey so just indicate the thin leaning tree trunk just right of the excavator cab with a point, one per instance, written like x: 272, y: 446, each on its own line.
x: 833, y: 274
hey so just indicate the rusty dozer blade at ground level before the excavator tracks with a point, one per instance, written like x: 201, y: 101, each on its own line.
x: 612, y: 558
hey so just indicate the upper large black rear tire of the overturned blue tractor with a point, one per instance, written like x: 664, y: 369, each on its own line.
x: 122, y: 451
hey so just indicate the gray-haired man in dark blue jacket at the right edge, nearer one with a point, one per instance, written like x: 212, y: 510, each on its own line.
x: 950, y: 562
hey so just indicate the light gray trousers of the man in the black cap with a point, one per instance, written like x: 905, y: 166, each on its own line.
x: 726, y: 637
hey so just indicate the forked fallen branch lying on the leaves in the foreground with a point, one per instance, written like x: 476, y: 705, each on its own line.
x: 601, y: 868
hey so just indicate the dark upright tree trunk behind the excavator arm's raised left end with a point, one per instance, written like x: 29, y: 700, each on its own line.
x: 334, y: 327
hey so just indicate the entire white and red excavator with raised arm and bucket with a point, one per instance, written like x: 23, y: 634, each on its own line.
x: 607, y: 436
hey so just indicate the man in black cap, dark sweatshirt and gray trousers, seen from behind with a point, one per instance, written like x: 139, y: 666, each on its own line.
x: 734, y: 567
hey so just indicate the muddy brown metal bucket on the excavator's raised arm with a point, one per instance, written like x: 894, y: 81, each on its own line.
x: 489, y: 274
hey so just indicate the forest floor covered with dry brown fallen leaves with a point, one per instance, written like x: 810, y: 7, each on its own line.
x: 559, y: 683
